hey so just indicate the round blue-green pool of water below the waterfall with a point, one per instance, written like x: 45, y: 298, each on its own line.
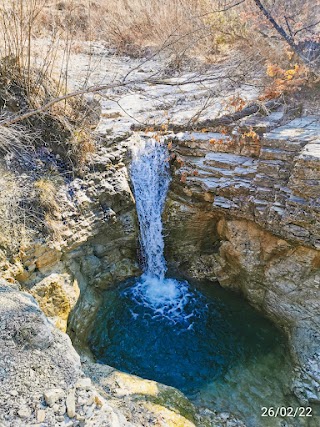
x: 215, y: 347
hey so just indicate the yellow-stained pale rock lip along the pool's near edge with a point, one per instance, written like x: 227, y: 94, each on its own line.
x: 144, y: 402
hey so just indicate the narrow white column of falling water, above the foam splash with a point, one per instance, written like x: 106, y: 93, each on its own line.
x: 150, y: 178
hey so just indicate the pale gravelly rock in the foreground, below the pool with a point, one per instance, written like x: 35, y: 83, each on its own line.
x: 44, y: 384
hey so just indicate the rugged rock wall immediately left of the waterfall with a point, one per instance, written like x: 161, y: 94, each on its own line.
x: 94, y: 243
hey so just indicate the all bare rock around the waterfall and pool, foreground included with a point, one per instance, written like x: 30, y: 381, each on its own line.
x: 242, y: 208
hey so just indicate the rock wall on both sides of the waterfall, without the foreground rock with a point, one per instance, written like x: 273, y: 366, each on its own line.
x: 242, y: 209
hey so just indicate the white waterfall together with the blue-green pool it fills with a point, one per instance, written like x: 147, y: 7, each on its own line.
x: 197, y: 337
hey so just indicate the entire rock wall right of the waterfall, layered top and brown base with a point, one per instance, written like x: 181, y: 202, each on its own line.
x: 244, y: 209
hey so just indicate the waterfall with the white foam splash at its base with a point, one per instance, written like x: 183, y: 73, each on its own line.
x: 150, y: 176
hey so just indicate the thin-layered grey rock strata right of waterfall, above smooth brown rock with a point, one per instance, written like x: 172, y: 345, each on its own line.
x: 276, y: 186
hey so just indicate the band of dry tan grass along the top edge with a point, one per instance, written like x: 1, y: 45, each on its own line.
x: 202, y: 28
